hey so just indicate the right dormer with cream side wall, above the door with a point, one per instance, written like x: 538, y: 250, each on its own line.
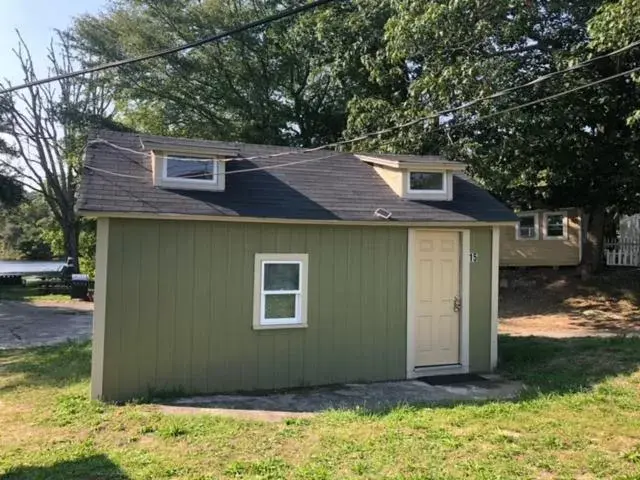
x: 416, y: 177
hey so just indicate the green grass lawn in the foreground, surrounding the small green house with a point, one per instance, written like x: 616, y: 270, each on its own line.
x: 580, y: 418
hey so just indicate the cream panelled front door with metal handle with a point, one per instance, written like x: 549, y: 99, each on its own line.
x: 437, y: 298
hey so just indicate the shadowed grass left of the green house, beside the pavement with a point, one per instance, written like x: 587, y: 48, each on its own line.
x: 50, y: 366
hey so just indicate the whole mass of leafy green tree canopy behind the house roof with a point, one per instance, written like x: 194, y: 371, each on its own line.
x: 364, y: 65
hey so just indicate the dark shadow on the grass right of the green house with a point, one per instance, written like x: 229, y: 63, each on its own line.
x: 567, y: 365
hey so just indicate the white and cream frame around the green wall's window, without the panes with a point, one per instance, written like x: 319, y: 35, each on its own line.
x: 300, y: 320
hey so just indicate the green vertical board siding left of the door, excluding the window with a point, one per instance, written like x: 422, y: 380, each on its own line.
x: 179, y: 307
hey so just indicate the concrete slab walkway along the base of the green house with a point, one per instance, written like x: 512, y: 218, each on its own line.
x: 374, y: 396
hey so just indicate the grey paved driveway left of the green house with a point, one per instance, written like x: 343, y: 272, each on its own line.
x: 24, y: 324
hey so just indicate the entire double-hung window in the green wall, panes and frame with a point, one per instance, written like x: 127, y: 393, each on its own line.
x: 280, y: 297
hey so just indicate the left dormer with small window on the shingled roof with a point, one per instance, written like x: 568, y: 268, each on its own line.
x: 188, y: 167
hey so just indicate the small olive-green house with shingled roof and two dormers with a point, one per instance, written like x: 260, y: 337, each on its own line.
x: 221, y: 276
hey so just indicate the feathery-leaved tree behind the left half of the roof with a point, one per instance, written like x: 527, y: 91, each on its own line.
x: 269, y: 85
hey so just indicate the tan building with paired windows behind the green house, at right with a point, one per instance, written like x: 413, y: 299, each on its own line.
x: 543, y: 238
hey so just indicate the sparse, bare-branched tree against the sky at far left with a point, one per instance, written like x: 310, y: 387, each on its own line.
x: 47, y: 127
